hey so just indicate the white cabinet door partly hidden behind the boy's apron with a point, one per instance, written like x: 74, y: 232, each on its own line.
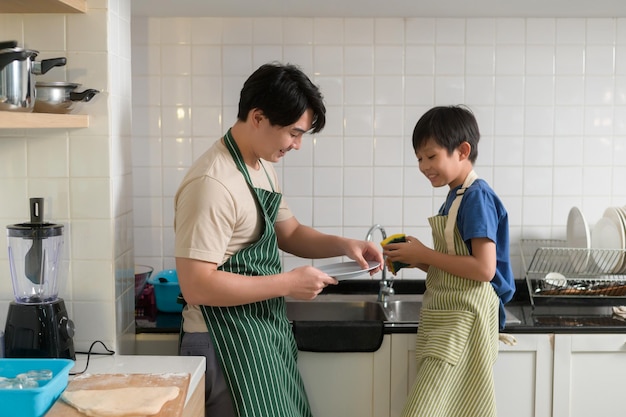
x: 522, y: 375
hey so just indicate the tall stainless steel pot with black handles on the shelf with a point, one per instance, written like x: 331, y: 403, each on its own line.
x: 17, y: 70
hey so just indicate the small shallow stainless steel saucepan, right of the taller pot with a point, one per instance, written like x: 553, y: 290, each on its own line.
x: 59, y: 97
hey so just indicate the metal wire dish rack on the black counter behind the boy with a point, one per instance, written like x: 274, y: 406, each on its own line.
x: 587, y: 276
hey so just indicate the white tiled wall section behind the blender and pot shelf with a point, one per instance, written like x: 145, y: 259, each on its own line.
x: 84, y: 175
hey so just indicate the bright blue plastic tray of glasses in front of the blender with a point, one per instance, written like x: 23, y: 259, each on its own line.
x: 33, y: 402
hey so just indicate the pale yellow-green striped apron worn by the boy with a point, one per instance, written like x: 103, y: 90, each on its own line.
x: 457, y: 338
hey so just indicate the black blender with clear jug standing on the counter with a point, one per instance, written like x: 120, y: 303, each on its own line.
x: 37, y: 325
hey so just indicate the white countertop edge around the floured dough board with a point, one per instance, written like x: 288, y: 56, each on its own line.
x: 131, y: 364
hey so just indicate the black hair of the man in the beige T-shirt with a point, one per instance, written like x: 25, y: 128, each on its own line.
x: 283, y: 93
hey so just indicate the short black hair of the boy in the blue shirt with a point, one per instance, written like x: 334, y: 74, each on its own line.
x: 448, y: 126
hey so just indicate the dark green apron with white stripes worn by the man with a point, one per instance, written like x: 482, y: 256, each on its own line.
x: 254, y: 342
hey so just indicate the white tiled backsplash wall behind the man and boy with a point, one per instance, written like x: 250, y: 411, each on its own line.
x: 549, y: 95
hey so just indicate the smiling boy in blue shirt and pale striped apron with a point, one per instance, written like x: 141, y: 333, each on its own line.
x: 469, y: 276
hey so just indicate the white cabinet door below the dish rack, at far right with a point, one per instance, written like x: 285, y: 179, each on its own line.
x: 589, y: 372
